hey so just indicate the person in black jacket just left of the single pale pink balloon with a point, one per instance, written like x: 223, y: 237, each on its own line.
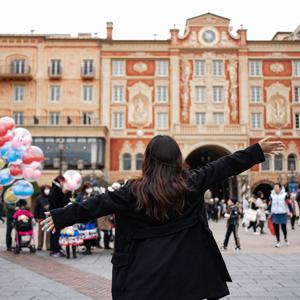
x: 57, y: 199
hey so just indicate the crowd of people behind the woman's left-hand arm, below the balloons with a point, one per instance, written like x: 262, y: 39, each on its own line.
x: 81, y: 238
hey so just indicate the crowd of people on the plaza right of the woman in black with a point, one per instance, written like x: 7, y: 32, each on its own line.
x: 275, y: 210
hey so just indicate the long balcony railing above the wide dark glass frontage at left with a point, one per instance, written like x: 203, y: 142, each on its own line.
x: 60, y: 121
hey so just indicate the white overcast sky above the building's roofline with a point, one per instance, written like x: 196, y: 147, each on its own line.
x: 141, y: 19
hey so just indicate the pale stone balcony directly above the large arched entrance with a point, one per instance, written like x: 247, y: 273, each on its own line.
x: 189, y: 130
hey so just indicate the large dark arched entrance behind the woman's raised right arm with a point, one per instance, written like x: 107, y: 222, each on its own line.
x: 205, y: 154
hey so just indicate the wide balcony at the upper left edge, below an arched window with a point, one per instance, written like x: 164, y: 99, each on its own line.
x: 9, y: 73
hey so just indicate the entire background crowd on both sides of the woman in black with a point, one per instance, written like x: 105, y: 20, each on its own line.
x: 254, y: 214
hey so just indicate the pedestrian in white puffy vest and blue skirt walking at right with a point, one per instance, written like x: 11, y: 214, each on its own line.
x: 280, y: 209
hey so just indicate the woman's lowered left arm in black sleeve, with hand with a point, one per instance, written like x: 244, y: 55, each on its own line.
x: 93, y: 208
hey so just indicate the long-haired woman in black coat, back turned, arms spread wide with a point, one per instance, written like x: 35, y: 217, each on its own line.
x: 164, y: 248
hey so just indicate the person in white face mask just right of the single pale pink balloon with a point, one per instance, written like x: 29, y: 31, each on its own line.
x: 88, y: 230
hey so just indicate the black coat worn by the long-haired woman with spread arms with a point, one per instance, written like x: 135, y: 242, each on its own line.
x: 178, y: 259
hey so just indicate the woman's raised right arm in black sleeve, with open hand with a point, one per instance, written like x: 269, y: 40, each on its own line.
x: 234, y: 164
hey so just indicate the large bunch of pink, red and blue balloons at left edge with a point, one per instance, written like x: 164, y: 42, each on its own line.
x: 20, y: 162
